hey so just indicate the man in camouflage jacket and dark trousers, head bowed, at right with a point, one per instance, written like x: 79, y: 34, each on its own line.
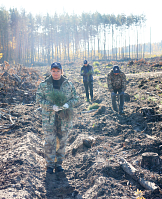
x: 116, y: 81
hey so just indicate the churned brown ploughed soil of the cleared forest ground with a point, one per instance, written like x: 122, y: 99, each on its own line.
x: 97, y: 144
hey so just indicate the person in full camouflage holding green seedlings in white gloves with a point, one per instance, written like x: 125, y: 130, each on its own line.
x: 56, y: 120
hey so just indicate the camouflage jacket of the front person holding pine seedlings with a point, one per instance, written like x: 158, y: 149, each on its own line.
x: 45, y: 88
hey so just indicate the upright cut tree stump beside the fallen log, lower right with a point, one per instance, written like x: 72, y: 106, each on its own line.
x: 150, y: 160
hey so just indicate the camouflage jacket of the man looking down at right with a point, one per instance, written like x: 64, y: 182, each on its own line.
x: 116, y: 82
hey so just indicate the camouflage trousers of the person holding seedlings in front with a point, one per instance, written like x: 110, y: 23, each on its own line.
x: 55, y: 141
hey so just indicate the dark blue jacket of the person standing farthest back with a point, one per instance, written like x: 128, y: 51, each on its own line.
x: 87, y: 73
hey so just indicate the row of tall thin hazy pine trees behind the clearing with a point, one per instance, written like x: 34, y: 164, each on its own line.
x: 30, y: 40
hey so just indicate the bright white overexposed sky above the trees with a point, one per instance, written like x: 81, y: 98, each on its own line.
x: 152, y: 10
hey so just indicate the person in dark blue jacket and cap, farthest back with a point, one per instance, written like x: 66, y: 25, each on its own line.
x: 87, y: 73
